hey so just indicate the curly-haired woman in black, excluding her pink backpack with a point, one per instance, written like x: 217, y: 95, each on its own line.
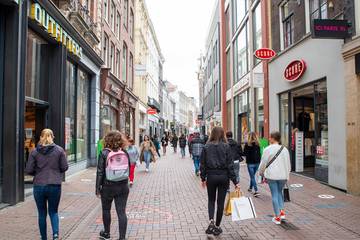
x: 111, y: 190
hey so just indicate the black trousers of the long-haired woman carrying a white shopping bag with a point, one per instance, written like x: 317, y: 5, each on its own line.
x: 217, y: 186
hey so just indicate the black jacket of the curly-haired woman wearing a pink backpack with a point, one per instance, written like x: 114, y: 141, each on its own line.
x: 100, y: 173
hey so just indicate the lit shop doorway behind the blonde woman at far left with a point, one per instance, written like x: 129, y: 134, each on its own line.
x: 35, y: 122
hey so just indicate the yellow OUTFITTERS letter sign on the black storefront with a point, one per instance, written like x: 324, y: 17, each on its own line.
x: 39, y: 14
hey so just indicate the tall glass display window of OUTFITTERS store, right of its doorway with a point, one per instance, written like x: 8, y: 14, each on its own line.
x: 76, y: 113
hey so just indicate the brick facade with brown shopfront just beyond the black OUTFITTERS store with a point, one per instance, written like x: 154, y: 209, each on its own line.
x: 118, y: 101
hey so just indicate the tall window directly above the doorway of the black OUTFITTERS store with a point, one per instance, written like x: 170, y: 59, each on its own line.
x: 37, y: 66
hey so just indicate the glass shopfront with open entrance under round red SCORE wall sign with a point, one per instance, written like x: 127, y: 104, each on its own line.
x: 304, y: 129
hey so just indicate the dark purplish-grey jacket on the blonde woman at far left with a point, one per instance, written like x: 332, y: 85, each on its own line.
x: 47, y: 164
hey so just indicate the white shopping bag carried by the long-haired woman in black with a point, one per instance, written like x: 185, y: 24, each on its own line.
x: 242, y: 208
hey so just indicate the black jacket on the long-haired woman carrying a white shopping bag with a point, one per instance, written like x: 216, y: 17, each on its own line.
x: 216, y: 160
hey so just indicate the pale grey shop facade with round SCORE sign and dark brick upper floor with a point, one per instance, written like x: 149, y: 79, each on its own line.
x: 312, y: 109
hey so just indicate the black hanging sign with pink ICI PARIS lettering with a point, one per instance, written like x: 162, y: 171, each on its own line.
x: 330, y: 28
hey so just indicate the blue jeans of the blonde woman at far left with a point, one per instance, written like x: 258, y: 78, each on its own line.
x: 47, y: 198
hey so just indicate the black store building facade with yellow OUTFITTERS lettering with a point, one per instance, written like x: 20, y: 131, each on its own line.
x: 50, y: 79
